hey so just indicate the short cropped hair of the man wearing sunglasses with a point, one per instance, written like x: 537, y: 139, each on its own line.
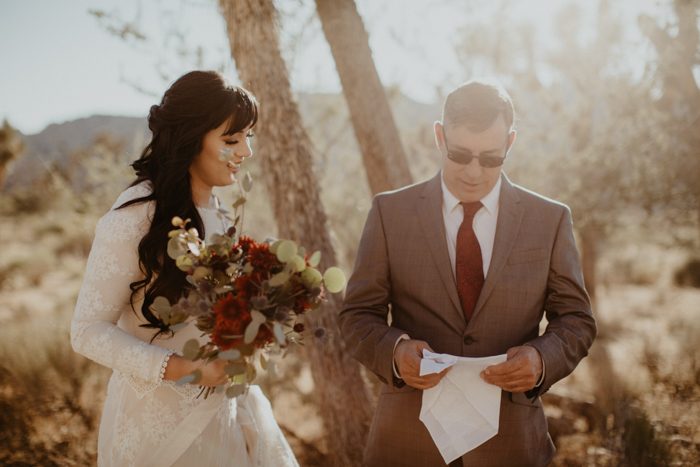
x: 478, y: 103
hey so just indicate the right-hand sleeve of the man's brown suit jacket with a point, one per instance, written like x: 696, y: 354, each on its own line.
x: 571, y: 327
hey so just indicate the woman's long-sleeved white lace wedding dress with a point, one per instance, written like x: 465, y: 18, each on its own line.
x: 147, y: 421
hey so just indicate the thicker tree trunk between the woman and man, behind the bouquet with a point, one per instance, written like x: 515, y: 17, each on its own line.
x: 285, y: 150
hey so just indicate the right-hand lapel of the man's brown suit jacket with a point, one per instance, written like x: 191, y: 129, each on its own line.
x: 510, y: 214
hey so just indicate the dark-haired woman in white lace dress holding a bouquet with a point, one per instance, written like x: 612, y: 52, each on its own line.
x: 200, y: 137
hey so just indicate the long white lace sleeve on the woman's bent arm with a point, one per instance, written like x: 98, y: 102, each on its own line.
x: 104, y: 296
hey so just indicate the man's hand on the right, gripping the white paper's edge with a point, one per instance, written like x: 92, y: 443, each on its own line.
x: 519, y: 373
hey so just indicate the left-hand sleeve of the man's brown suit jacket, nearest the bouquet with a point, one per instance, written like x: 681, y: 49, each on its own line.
x: 363, y: 317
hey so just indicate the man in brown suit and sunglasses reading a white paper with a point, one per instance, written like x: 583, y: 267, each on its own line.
x: 466, y: 264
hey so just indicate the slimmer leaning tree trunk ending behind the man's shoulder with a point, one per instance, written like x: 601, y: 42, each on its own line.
x: 382, y: 152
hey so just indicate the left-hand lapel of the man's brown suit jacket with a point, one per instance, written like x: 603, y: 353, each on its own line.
x: 429, y: 211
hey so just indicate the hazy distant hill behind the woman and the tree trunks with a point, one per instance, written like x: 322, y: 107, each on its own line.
x: 54, y: 145
